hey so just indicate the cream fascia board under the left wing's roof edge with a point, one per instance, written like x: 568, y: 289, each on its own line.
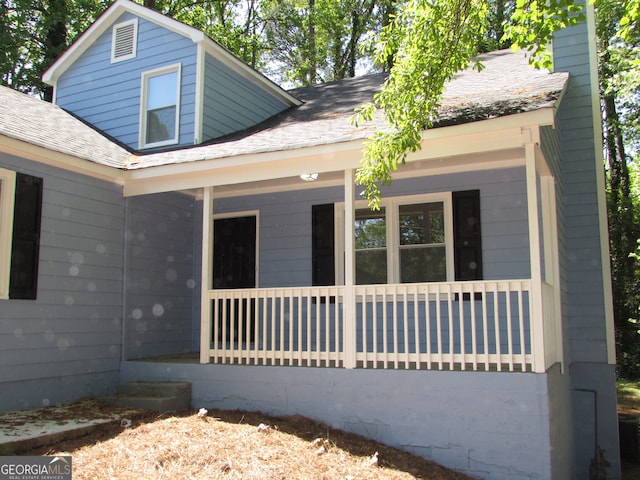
x: 60, y: 160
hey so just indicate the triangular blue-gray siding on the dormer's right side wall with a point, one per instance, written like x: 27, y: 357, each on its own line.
x: 231, y: 102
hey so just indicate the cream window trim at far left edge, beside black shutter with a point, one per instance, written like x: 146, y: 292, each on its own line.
x: 7, y: 200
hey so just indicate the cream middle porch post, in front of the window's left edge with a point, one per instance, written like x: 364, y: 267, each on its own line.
x: 349, y: 306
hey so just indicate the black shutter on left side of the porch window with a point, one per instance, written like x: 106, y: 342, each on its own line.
x: 323, y: 245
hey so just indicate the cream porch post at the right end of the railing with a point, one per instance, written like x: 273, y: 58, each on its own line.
x: 535, y: 300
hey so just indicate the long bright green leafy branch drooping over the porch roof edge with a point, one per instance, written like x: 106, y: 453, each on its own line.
x: 428, y: 43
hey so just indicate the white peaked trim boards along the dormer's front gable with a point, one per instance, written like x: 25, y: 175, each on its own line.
x: 103, y: 23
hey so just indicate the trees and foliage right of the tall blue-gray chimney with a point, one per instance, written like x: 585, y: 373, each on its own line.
x: 619, y: 88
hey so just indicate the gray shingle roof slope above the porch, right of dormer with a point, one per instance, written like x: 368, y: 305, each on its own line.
x: 507, y: 85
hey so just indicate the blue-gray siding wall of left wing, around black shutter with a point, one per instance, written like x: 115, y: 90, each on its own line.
x: 66, y: 344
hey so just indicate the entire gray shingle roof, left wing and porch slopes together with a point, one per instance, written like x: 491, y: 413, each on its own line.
x: 507, y: 85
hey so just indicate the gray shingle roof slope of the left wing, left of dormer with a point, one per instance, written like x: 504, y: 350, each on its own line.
x: 45, y: 125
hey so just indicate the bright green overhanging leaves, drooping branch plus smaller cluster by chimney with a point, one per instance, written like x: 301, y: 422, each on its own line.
x: 428, y: 43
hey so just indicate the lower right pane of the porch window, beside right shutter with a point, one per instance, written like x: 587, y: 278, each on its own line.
x: 426, y: 264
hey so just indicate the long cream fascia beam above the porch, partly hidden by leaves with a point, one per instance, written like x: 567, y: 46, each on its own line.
x: 507, y: 134
